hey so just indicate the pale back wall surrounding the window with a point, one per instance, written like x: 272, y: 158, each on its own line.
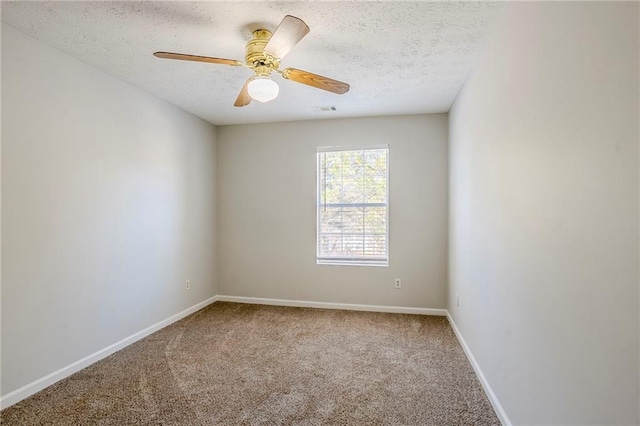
x: 267, y: 212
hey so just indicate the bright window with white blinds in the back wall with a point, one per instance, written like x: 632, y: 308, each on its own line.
x: 353, y: 206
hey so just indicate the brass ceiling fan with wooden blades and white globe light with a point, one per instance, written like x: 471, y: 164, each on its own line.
x: 263, y: 54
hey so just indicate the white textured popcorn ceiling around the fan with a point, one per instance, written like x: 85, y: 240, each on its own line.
x: 399, y: 57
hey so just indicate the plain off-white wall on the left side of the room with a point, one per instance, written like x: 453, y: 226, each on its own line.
x: 108, y: 198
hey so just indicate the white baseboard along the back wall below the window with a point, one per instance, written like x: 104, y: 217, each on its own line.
x: 329, y: 305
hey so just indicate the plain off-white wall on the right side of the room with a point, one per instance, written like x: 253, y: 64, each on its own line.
x: 544, y: 213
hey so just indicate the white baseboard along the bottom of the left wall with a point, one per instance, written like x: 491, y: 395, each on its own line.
x: 37, y: 385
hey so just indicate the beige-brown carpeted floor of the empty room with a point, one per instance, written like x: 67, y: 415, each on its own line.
x: 232, y: 364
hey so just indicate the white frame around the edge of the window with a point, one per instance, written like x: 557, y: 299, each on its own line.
x: 353, y: 261
